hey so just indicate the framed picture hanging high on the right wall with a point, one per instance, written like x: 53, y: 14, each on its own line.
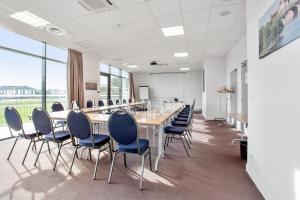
x: 279, y: 26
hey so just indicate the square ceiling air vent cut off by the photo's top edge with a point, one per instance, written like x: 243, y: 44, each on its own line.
x: 96, y: 5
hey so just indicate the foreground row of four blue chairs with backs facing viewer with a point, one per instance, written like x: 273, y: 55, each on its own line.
x: 123, y: 129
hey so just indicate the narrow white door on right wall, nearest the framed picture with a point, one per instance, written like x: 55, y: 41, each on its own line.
x: 244, y: 88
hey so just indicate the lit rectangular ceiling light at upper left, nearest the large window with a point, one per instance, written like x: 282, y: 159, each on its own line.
x: 29, y: 18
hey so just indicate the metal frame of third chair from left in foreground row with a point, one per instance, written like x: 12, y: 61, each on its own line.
x: 77, y: 146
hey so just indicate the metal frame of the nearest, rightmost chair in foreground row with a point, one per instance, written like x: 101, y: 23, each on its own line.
x: 143, y: 155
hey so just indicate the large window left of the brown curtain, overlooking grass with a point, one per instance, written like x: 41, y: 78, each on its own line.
x: 32, y: 74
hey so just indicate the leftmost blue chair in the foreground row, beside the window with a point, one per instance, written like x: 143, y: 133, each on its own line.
x: 15, y: 124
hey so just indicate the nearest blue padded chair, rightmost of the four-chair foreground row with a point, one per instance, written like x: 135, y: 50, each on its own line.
x: 123, y: 129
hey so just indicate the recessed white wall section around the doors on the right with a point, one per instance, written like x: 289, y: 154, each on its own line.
x: 233, y: 60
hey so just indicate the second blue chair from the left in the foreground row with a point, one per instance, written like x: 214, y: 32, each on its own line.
x: 43, y: 125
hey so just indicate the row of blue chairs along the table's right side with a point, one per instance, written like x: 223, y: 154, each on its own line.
x: 181, y: 126
